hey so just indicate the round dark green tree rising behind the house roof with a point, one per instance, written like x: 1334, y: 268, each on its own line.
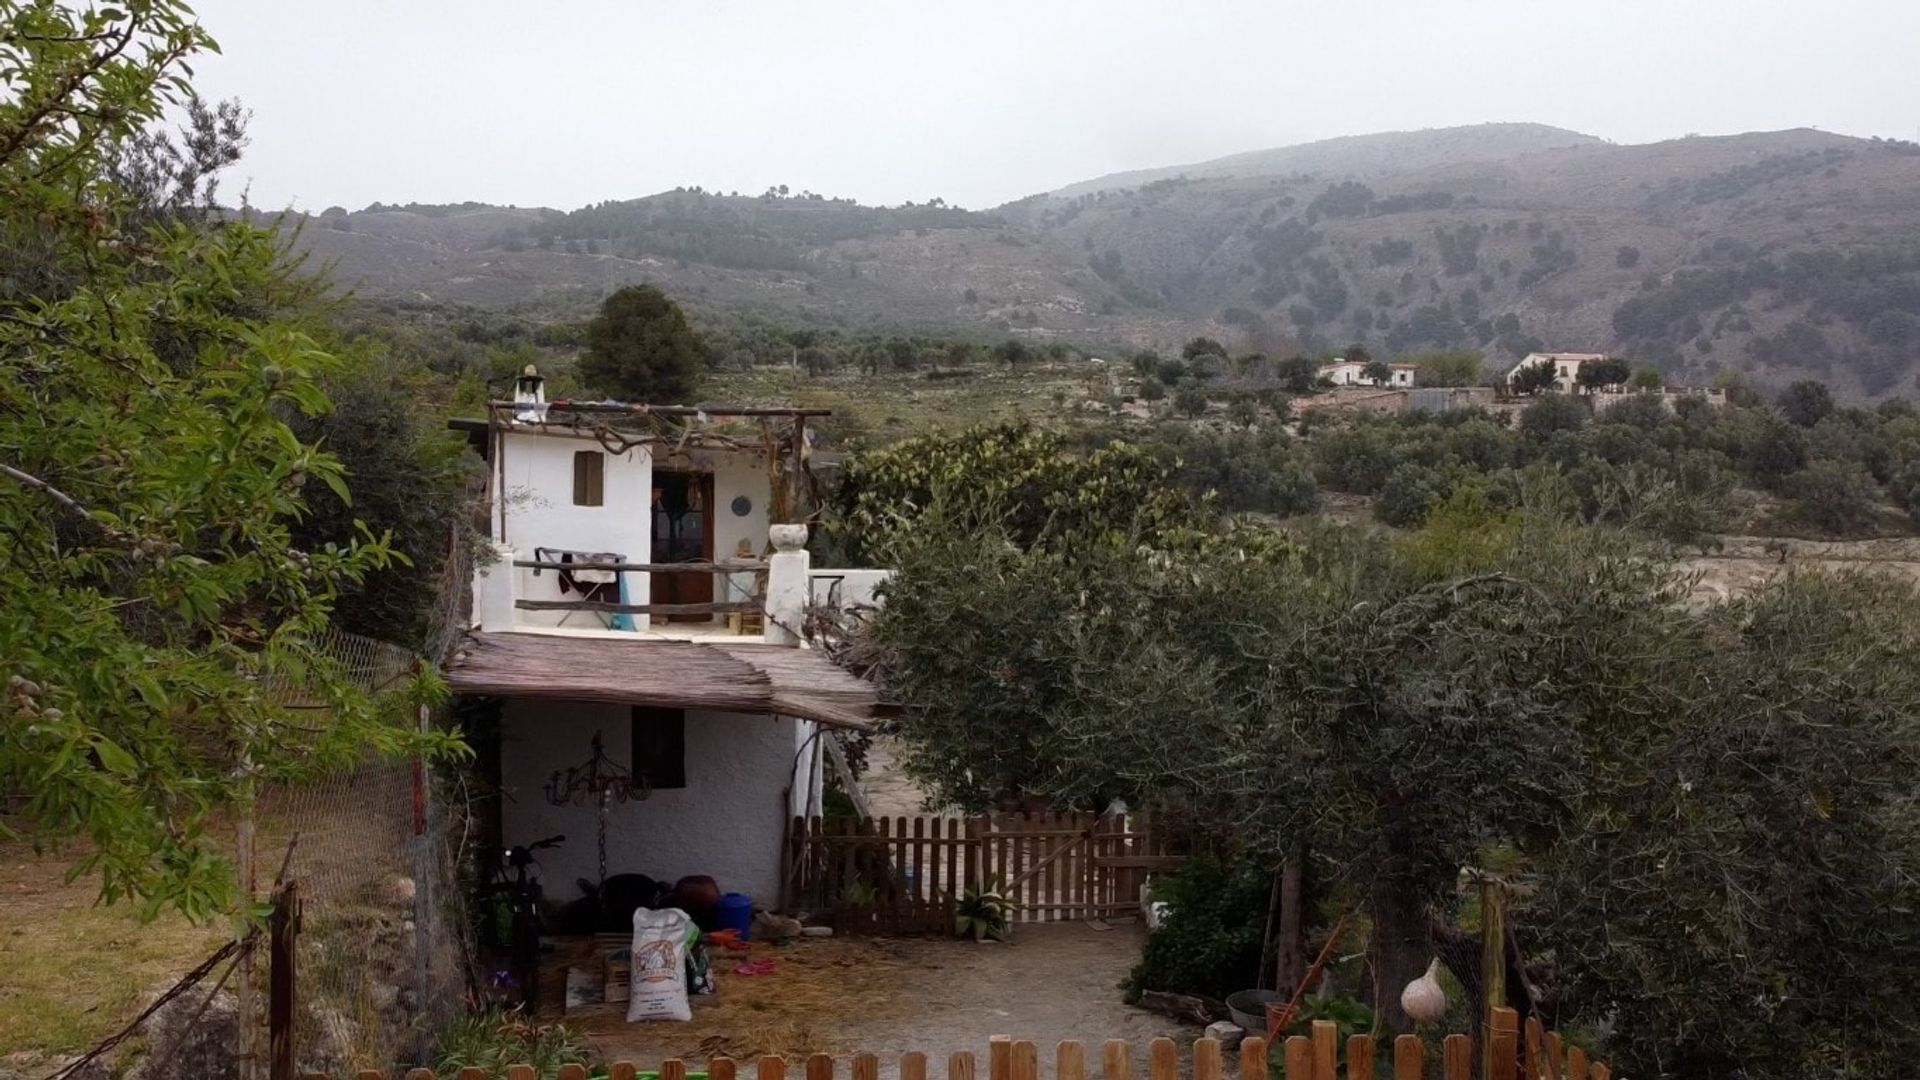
x: 640, y: 349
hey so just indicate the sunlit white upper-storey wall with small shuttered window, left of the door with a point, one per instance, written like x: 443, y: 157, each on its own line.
x: 537, y: 510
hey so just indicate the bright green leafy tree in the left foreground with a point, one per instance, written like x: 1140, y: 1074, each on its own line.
x: 156, y: 606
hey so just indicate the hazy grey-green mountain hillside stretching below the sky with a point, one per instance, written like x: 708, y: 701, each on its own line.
x: 1785, y: 255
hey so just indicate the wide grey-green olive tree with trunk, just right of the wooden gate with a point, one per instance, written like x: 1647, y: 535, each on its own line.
x: 1356, y: 697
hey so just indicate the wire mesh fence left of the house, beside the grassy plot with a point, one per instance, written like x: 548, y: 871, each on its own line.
x: 379, y: 854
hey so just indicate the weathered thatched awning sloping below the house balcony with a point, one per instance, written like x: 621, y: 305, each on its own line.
x: 673, y: 675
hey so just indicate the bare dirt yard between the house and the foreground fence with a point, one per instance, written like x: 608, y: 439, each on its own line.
x: 890, y: 996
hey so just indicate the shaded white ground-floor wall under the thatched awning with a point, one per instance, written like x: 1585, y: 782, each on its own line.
x: 727, y: 823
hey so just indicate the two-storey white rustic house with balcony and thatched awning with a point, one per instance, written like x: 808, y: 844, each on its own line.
x: 644, y: 602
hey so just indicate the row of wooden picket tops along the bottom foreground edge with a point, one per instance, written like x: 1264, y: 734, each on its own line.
x: 1305, y: 1058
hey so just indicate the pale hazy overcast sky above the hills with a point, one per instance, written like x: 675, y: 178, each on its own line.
x: 562, y: 103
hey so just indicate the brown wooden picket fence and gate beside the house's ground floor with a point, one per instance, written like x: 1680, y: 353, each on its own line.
x: 905, y: 873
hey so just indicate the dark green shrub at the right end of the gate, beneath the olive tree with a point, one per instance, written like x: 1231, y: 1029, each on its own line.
x: 1212, y: 935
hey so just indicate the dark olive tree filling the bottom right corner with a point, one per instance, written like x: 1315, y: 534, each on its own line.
x: 1737, y: 889
